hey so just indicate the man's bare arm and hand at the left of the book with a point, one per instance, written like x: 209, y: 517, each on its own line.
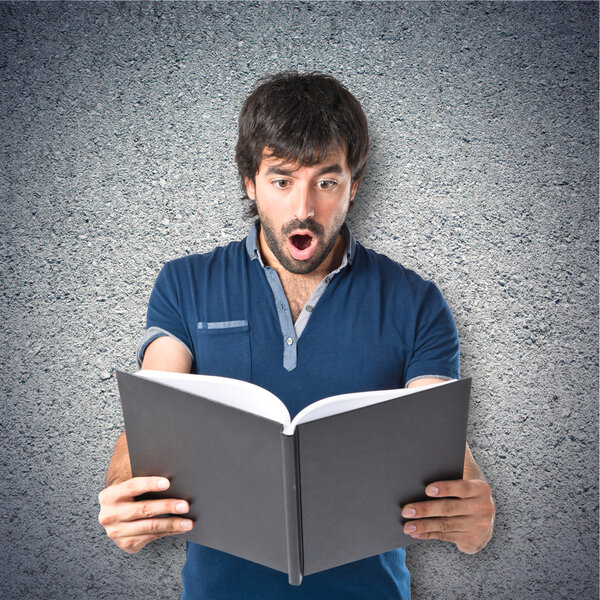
x: 129, y: 523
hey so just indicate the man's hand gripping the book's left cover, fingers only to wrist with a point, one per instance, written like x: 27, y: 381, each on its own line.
x: 132, y: 524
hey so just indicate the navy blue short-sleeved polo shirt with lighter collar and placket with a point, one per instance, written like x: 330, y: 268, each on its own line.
x: 370, y: 325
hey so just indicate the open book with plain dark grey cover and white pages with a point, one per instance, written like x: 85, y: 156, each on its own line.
x: 301, y: 495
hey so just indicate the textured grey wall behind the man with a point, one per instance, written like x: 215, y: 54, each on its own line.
x: 117, y: 135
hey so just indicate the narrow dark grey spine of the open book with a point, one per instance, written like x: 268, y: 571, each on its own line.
x: 293, y: 524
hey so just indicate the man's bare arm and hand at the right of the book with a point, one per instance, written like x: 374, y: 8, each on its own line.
x: 463, y: 511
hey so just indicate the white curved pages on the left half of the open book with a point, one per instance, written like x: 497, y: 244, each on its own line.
x: 231, y: 392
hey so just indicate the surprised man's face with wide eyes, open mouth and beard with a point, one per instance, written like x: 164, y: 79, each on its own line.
x: 302, y: 209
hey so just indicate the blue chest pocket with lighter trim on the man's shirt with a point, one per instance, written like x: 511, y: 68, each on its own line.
x: 223, y: 349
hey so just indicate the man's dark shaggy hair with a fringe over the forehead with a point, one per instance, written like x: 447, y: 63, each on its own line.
x: 301, y: 118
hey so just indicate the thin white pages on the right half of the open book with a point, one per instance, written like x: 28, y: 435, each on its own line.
x: 345, y: 402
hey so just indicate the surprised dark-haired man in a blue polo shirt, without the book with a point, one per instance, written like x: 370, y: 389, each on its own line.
x: 302, y: 309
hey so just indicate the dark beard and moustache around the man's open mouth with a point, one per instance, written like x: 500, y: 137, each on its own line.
x: 278, y: 242
